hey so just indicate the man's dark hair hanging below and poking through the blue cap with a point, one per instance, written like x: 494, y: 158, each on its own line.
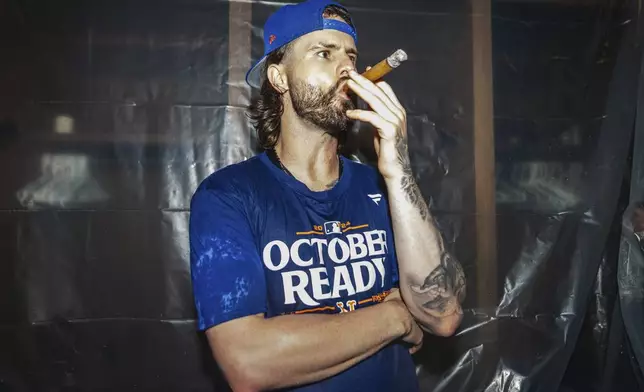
x: 266, y: 110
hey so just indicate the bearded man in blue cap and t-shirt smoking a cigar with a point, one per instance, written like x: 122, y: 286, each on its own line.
x: 300, y: 258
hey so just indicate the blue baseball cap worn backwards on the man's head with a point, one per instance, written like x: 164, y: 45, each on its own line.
x: 291, y: 22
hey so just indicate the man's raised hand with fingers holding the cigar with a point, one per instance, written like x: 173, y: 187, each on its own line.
x: 390, y: 120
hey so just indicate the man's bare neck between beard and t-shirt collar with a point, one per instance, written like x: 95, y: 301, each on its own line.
x: 308, y: 153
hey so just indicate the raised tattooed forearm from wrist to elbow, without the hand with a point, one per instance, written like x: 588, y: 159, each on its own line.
x: 431, y: 280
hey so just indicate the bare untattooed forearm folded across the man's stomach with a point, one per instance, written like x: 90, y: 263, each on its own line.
x: 299, y: 349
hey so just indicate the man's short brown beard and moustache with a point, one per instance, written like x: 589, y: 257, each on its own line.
x: 325, y: 109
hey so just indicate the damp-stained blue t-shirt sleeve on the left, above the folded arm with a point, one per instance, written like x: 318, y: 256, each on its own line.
x: 226, y: 270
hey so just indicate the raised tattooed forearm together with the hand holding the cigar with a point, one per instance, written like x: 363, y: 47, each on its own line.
x: 432, y: 284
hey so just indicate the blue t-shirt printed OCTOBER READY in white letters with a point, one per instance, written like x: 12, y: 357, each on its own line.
x: 262, y: 242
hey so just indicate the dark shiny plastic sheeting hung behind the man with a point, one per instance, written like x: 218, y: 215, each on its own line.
x: 113, y: 112
